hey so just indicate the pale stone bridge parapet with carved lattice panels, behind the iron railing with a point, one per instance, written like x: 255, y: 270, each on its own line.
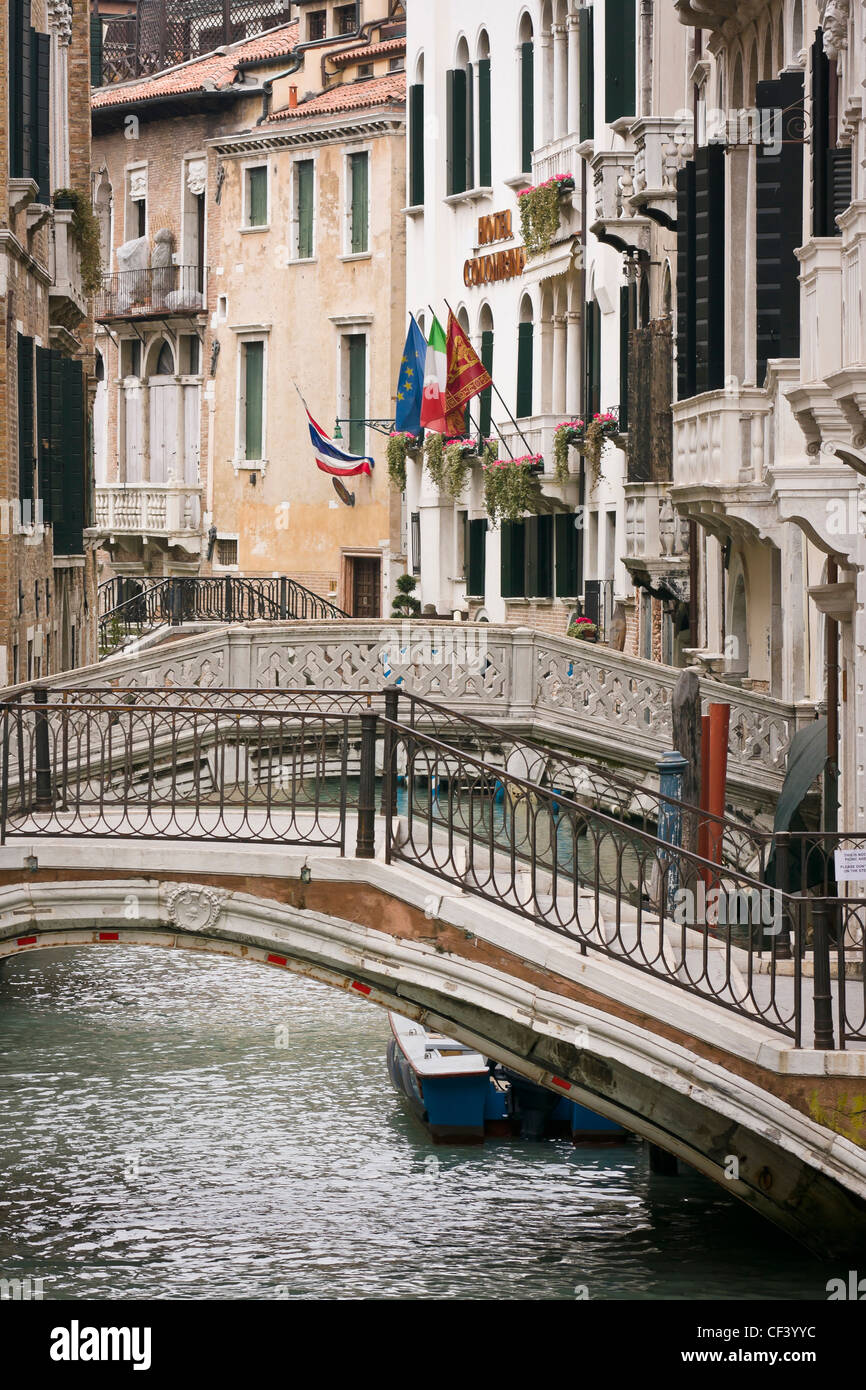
x: 587, y: 697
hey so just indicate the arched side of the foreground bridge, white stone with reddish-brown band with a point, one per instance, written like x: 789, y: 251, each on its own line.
x: 775, y: 1125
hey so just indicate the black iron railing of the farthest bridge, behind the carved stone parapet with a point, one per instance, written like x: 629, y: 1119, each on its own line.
x: 229, y: 598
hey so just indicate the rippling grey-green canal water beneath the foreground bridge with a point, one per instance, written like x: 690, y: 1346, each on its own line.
x: 190, y: 1128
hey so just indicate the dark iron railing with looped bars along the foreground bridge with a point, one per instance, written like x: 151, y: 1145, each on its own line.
x: 294, y: 768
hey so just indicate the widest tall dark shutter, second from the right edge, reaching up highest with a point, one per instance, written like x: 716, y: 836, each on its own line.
x: 779, y: 190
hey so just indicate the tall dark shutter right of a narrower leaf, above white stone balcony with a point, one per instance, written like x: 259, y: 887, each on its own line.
x: 710, y: 269
